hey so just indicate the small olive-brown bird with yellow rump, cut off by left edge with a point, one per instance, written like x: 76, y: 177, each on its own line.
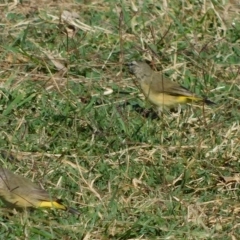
x: 19, y: 192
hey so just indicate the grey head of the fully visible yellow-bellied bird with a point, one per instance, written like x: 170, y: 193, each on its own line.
x: 140, y: 69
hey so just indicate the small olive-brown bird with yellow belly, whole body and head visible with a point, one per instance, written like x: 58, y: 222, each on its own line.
x: 159, y: 90
